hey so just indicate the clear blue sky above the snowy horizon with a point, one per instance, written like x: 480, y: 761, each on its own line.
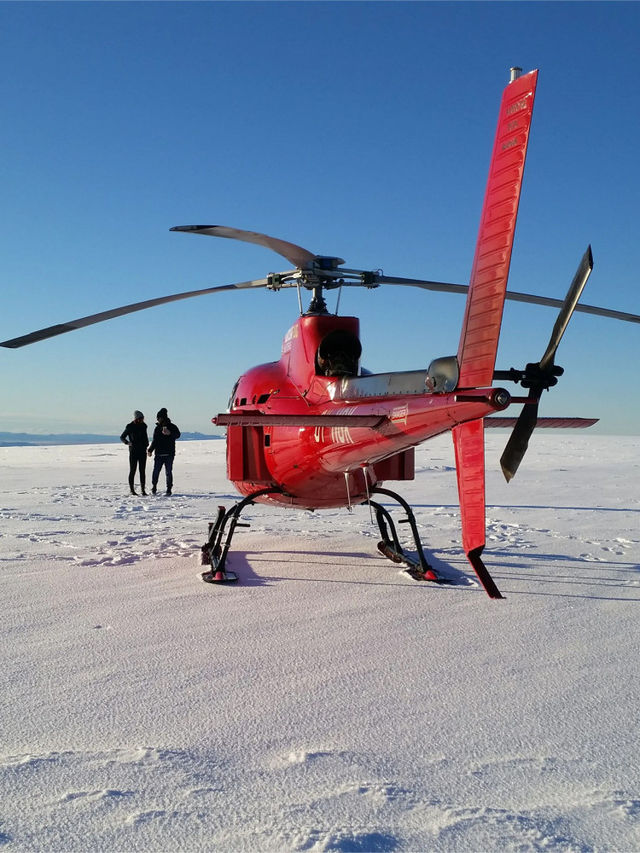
x: 362, y: 130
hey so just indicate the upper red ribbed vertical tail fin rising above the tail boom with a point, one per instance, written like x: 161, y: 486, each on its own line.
x: 488, y: 283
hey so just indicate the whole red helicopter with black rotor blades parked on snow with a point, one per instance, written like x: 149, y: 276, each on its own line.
x: 315, y: 430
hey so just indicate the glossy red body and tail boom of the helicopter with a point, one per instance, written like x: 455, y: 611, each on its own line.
x: 325, y: 441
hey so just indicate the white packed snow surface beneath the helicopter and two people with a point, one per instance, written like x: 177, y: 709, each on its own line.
x: 327, y: 701
